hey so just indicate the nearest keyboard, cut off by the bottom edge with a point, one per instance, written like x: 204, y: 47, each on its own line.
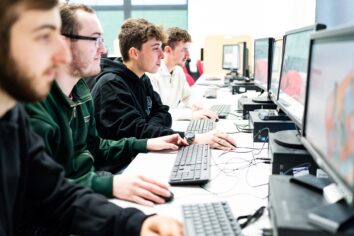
x: 213, y: 218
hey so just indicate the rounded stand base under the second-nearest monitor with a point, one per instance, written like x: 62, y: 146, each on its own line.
x: 288, y: 138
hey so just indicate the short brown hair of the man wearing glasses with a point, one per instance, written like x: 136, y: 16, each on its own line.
x: 70, y: 25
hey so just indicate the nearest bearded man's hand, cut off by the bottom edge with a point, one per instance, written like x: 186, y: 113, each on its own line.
x: 161, y: 226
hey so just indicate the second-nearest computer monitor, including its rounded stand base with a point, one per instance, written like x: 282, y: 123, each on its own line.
x: 292, y: 85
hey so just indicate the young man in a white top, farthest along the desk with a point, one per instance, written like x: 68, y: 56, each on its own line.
x: 170, y: 80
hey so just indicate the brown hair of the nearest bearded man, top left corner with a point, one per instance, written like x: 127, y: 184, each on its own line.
x: 9, y: 13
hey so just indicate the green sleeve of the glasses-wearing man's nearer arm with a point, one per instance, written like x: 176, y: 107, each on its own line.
x: 78, y: 167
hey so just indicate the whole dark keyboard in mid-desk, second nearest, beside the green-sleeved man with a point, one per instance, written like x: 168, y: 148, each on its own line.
x: 192, y: 165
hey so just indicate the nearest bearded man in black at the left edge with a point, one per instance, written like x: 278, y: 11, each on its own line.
x: 33, y: 190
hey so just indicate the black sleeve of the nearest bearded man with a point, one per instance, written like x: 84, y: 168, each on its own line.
x: 51, y: 201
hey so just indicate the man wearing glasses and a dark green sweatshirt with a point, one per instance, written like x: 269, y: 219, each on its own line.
x: 65, y: 121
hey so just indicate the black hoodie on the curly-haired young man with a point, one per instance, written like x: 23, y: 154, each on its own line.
x: 126, y: 105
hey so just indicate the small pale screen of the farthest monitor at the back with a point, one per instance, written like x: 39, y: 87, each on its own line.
x: 231, y: 57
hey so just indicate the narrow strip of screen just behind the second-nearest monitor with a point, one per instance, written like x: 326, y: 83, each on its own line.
x: 276, y: 68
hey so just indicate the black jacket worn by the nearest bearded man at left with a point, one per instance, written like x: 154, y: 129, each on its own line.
x: 34, y: 192
